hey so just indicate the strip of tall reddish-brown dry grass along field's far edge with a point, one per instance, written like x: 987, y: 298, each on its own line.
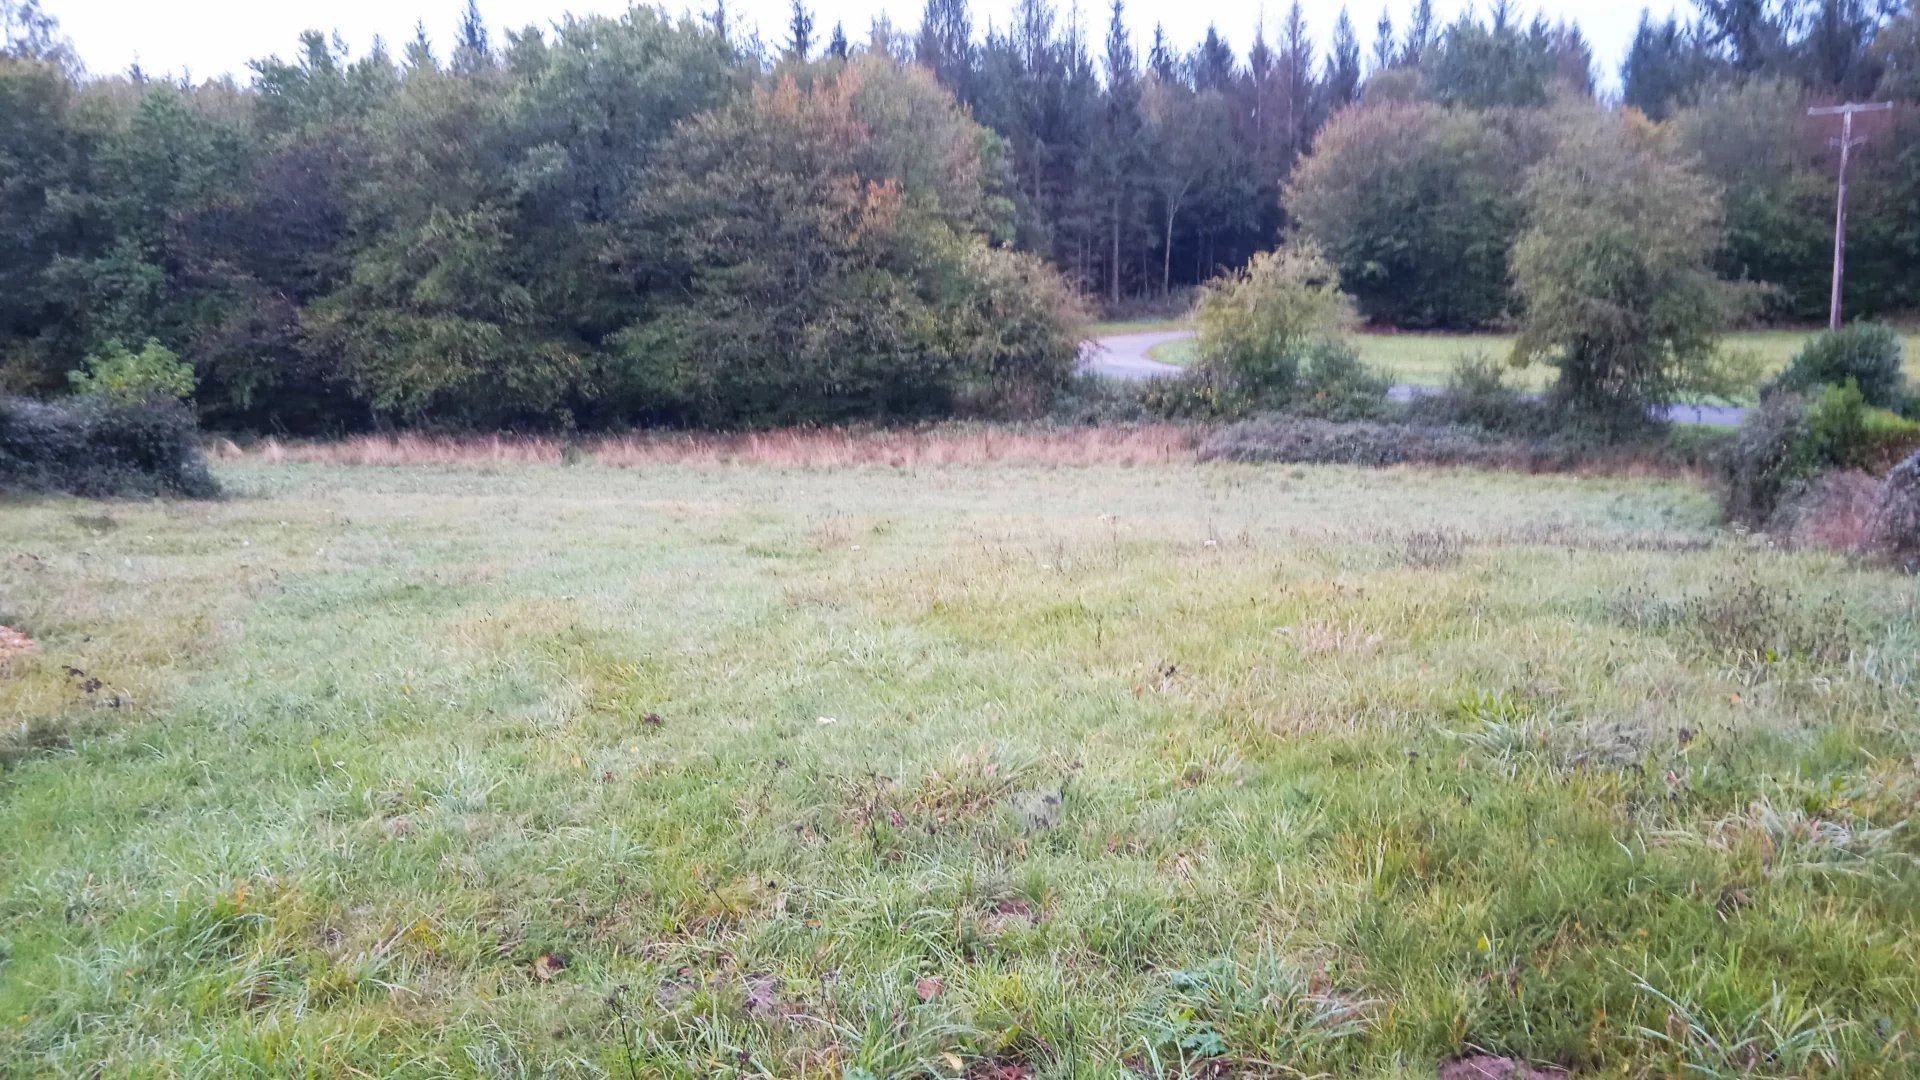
x: 807, y: 449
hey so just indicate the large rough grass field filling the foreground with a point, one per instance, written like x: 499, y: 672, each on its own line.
x: 997, y: 772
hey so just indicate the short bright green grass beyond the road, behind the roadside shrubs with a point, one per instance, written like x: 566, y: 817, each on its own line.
x: 1426, y: 360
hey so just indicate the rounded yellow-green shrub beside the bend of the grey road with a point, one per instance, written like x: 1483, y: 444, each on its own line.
x: 1257, y: 324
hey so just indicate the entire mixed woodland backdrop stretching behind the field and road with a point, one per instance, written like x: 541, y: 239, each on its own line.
x: 656, y: 220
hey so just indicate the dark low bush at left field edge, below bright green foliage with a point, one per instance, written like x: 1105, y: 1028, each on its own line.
x: 99, y: 447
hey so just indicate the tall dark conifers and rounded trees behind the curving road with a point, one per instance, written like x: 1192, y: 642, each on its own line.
x: 1141, y: 172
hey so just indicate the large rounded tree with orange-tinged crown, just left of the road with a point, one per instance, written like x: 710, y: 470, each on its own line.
x: 811, y: 255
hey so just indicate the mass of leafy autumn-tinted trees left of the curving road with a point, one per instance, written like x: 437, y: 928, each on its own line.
x: 615, y: 222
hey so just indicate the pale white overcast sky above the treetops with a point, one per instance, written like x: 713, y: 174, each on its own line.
x: 210, y: 37
